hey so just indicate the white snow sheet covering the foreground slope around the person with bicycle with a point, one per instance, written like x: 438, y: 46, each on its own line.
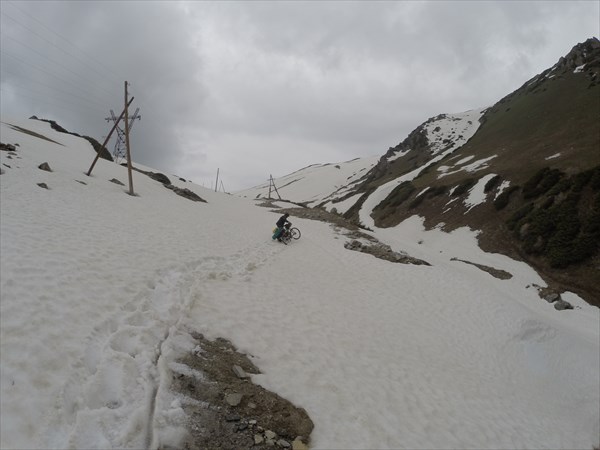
x: 100, y: 291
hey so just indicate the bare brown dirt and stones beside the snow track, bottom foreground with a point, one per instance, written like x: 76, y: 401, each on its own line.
x: 232, y: 412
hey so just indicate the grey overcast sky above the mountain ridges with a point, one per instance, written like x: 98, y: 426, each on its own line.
x: 257, y: 88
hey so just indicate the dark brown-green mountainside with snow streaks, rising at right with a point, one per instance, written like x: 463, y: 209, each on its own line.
x: 525, y: 172
